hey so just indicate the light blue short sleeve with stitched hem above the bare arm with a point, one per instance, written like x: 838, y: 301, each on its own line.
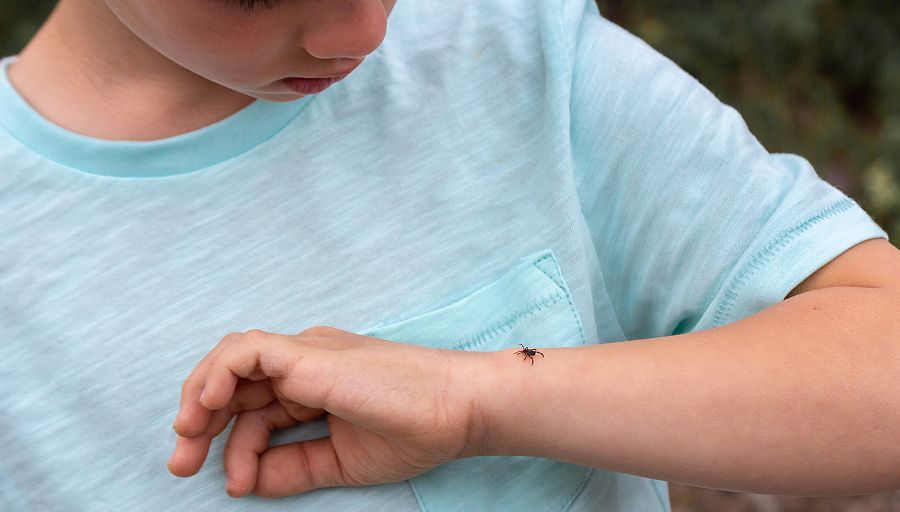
x: 695, y: 224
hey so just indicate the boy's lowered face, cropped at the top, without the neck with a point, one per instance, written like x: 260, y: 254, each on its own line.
x: 252, y: 51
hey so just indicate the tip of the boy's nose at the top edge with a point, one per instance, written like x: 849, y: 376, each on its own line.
x: 346, y: 29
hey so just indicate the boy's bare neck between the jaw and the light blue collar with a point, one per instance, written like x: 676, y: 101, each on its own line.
x: 88, y: 73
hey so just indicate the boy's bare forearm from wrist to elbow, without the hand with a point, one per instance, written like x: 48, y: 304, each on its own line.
x: 802, y: 398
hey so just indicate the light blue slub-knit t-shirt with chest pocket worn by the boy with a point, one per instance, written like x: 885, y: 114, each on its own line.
x: 496, y: 172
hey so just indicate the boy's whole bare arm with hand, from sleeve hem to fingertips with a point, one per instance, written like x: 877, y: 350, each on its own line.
x: 796, y: 400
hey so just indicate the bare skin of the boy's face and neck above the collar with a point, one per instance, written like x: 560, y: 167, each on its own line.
x: 175, y: 66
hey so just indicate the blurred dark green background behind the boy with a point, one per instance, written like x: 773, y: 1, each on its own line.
x: 819, y: 78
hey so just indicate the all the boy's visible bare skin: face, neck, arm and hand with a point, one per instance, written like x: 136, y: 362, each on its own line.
x: 826, y: 426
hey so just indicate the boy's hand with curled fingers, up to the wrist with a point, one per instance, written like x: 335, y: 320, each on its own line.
x: 394, y: 410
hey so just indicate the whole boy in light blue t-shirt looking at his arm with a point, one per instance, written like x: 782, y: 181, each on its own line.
x: 487, y: 174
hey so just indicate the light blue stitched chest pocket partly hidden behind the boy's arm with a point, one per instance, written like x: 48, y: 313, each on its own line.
x: 529, y: 304
